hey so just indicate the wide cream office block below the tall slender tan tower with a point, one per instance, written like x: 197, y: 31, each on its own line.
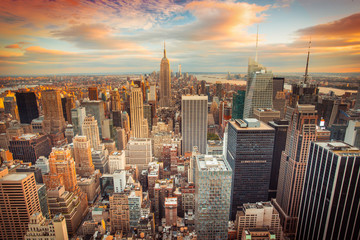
x: 139, y: 152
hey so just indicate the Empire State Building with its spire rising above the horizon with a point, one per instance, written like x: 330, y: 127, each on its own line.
x: 165, y: 82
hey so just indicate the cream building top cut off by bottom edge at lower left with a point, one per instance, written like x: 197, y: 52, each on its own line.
x: 48, y: 229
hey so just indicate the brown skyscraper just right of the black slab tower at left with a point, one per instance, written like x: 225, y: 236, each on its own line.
x: 54, y: 121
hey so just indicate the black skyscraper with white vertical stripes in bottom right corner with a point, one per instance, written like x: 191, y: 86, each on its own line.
x: 330, y: 201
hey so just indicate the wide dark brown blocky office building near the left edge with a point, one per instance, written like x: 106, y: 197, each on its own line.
x: 29, y: 147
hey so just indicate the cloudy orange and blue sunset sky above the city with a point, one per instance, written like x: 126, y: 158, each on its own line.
x: 119, y: 36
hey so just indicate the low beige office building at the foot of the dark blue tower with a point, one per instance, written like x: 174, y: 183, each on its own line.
x: 258, y: 215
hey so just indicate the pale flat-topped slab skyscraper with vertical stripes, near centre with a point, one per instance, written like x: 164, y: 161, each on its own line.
x: 194, y: 122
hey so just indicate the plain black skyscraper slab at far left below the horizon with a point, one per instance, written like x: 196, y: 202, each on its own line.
x: 27, y: 106
